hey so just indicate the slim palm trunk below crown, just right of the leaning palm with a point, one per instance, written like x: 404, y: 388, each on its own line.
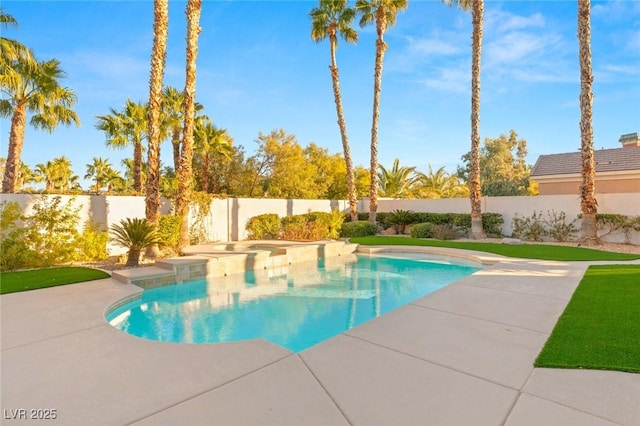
x: 381, y: 46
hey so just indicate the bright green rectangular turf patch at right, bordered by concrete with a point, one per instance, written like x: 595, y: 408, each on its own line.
x: 600, y: 327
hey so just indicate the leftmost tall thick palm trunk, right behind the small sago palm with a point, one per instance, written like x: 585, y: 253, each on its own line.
x: 158, y: 56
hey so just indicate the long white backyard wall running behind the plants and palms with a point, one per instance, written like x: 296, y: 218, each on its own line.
x: 225, y: 219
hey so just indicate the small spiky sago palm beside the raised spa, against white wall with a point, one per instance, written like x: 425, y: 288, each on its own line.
x: 134, y: 234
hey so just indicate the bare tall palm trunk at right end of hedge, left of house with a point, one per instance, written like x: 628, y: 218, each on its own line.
x: 475, y: 191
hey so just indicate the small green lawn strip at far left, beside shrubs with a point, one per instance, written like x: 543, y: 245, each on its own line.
x: 11, y: 282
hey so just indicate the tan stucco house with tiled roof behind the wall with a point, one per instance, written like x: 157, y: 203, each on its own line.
x: 617, y: 169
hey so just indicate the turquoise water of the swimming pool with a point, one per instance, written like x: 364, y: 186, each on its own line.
x: 296, y: 307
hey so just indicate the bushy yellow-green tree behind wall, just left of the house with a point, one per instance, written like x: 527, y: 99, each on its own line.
x: 501, y: 172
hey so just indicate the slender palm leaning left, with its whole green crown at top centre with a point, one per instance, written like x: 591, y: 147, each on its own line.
x: 330, y: 19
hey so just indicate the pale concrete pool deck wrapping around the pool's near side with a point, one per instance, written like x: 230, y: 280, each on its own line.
x: 460, y: 356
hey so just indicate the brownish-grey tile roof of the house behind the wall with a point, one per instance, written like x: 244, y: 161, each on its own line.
x: 607, y: 160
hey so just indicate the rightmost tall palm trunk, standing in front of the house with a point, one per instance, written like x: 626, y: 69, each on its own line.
x: 588, y: 203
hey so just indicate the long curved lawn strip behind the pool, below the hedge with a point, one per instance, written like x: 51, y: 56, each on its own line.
x: 525, y: 251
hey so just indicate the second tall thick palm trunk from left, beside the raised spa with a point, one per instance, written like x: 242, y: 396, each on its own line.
x: 185, y: 172
